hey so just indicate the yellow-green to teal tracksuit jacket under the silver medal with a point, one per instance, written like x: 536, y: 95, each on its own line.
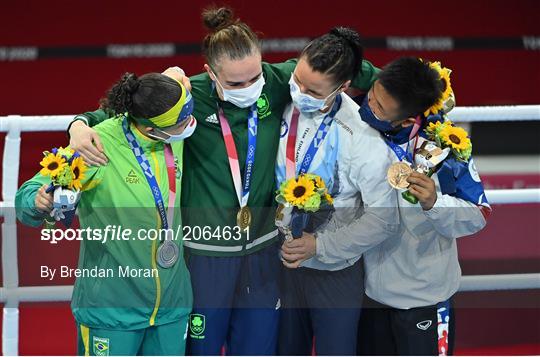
x: 118, y: 194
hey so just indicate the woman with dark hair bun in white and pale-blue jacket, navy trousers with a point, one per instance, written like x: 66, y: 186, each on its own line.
x: 330, y: 140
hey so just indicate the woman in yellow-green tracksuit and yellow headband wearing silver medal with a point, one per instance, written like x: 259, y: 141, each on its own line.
x: 138, y: 299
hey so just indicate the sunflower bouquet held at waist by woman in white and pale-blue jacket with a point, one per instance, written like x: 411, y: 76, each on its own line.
x: 305, y: 204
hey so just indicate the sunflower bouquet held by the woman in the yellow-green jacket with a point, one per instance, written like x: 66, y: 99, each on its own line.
x: 66, y: 168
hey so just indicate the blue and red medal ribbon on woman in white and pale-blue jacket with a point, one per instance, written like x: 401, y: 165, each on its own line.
x: 320, y: 135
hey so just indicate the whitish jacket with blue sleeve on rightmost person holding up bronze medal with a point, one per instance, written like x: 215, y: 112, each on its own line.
x: 419, y: 266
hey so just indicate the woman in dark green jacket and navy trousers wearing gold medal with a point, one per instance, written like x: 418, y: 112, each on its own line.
x: 235, y: 281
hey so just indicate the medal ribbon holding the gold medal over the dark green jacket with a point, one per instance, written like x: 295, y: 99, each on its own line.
x: 242, y: 192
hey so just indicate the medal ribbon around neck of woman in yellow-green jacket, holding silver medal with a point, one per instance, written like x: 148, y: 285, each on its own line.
x: 151, y: 179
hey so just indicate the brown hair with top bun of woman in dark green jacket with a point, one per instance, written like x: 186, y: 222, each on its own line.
x: 227, y: 36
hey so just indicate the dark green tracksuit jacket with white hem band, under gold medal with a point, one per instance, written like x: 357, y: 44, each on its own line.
x: 208, y: 195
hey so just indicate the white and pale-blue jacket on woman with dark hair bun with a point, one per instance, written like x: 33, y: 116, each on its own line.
x: 352, y: 160
